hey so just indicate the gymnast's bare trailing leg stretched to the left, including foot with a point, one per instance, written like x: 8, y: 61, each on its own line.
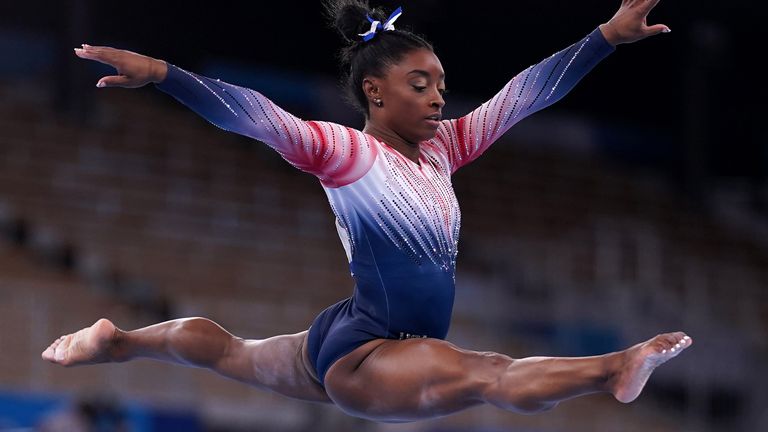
x: 276, y: 364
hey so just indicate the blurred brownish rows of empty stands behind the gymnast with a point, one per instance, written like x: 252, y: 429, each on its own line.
x: 143, y: 212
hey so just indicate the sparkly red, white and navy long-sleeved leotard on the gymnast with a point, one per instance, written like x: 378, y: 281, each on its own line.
x: 398, y: 220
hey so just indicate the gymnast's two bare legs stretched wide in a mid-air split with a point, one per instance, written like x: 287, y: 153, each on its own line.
x: 383, y: 380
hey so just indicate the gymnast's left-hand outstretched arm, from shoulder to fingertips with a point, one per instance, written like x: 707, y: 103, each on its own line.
x: 334, y: 153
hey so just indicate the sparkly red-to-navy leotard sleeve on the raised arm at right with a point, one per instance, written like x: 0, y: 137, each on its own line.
x: 540, y: 85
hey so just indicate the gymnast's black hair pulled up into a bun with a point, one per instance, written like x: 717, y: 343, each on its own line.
x: 372, y: 58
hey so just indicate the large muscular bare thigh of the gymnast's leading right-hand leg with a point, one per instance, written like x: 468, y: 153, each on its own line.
x: 413, y: 379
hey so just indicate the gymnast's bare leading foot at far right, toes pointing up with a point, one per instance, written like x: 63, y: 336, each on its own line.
x: 640, y: 361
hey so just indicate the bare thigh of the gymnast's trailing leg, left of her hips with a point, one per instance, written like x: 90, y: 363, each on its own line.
x: 279, y: 364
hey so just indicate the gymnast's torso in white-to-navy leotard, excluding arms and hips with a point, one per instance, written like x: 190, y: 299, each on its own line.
x: 399, y: 223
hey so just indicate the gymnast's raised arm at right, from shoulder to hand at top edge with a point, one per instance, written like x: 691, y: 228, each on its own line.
x: 543, y: 84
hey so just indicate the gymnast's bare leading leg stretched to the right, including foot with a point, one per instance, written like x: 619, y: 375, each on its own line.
x: 423, y: 378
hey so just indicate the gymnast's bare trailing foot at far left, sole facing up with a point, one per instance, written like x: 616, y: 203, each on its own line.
x: 87, y: 346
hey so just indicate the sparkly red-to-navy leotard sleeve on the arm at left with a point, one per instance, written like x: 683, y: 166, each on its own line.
x: 336, y: 154
